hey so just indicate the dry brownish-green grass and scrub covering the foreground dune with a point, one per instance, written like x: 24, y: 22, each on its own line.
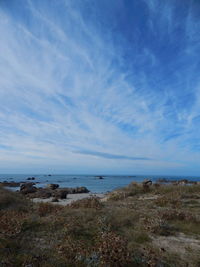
x: 155, y: 225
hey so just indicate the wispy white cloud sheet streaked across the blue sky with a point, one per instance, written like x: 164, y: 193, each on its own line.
x: 60, y: 92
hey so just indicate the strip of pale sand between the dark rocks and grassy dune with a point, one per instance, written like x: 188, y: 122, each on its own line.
x: 70, y: 198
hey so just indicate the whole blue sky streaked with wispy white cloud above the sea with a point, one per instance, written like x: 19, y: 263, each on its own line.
x: 100, y: 87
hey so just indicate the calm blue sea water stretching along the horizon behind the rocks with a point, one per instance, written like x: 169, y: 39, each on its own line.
x: 94, y: 184
